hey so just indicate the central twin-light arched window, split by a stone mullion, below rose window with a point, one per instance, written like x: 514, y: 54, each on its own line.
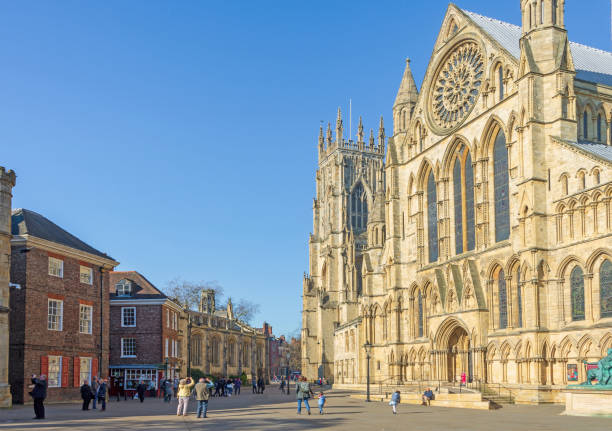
x: 463, y: 188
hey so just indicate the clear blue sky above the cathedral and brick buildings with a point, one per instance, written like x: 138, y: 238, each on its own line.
x: 180, y: 137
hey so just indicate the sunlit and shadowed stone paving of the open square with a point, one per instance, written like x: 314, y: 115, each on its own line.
x: 276, y: 411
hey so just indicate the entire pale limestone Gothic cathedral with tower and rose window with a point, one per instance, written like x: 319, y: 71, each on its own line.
x: 480, y: 241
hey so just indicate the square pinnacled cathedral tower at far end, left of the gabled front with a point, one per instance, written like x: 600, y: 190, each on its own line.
x: 348, y: 177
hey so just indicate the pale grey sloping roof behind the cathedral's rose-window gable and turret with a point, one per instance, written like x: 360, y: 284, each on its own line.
x: 592, y: 64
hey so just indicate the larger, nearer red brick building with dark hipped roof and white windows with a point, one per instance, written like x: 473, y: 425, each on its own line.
x: 59, y: 307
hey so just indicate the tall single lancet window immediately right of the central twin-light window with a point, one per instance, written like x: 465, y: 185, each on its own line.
x: 501, y: 188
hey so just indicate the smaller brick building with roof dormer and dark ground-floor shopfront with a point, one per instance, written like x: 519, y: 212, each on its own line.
x: 145, y: 342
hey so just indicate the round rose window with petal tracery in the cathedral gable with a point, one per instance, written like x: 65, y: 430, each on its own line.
x: 456, y: 86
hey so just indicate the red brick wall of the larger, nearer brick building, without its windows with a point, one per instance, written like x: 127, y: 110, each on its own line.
x: 30, y: 338
